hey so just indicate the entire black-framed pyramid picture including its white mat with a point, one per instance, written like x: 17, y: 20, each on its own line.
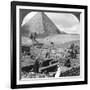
x: 50, y: 45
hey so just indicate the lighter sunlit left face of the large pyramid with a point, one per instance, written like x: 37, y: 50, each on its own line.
x: 35, y: 24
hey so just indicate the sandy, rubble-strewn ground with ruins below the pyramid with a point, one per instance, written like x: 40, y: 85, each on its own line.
x: 41, y: 58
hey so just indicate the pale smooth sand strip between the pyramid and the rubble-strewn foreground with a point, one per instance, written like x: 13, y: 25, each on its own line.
x: 60, y: 40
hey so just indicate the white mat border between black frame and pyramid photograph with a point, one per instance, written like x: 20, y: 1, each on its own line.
x: 61, y: 79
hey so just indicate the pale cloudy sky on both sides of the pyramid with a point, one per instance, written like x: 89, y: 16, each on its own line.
x: 66, y: 22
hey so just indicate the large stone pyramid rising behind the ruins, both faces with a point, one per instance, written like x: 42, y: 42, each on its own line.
x: 41, y: 24
